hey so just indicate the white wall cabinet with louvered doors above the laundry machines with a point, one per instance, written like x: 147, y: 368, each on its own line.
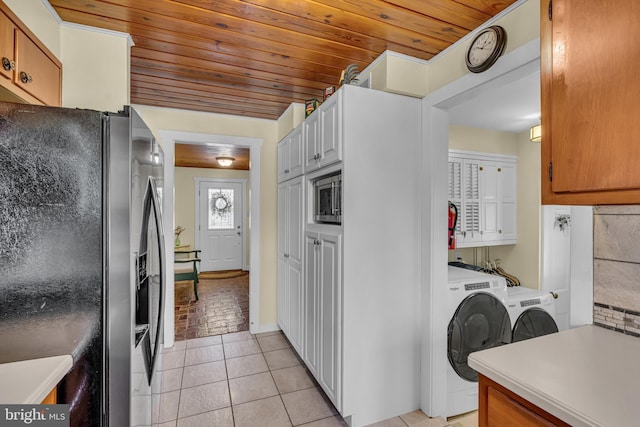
x: 483, y: 187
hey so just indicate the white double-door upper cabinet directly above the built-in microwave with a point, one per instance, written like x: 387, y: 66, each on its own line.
x: 323, y: 135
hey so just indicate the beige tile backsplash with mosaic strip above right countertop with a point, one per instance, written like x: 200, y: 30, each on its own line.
x: 616, y: 268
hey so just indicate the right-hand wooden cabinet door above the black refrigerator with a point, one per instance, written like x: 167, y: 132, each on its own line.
x: 36, y: 73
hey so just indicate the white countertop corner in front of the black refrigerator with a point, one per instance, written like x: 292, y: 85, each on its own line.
x: 30, y: 381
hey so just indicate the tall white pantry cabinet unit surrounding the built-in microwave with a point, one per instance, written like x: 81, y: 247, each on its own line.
x: 360, y: 294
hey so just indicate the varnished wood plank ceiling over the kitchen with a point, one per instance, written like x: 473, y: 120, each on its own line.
x: 254, y: 57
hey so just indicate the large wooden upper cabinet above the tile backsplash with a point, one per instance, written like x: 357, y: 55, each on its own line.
x: 590, y: 105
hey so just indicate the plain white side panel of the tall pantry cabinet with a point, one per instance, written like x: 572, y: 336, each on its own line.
x: 378, y: 312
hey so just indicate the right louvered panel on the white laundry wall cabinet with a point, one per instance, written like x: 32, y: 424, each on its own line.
x: 471, y: 206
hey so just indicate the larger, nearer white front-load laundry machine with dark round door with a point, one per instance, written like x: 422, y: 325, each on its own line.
x: 478, y: 320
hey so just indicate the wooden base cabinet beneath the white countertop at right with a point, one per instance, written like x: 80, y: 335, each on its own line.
x: 500, y: 407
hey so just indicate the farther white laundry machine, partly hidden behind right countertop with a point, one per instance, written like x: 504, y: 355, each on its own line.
x: 532, y: 313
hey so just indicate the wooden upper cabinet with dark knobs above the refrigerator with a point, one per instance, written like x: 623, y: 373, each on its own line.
x: 29, y: 71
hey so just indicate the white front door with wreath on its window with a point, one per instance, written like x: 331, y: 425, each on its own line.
x: 220, y: 228
